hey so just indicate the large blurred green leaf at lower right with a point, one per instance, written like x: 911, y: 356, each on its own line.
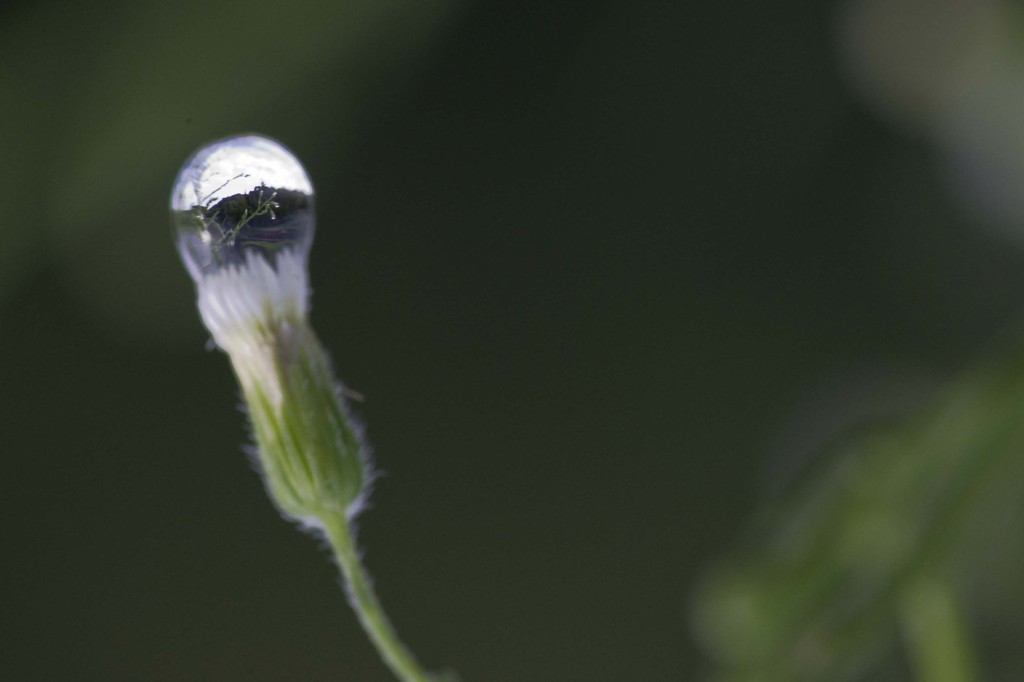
x: 818, y: 592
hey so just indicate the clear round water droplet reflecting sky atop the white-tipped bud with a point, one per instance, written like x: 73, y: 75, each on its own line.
x: 240, y: 196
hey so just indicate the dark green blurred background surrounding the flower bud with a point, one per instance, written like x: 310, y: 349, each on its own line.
x: 600, y: 269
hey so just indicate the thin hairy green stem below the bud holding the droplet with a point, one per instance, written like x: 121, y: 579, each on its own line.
x: 361, y: 592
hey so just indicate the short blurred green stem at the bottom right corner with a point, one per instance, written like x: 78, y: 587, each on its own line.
x: 936, y: 634
